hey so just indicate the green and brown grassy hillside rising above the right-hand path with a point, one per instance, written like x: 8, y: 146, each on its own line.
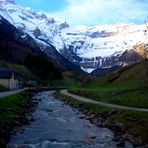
x: 127, y: 86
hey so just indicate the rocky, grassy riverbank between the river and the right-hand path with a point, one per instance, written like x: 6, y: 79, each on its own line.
x: 127, y: 125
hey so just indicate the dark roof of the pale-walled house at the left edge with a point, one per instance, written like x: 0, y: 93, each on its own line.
x: 5, y: 73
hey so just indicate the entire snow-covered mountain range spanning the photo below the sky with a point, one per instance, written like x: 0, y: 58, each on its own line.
x: 90, y: 47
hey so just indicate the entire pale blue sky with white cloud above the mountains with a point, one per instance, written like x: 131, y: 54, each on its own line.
x: 92, y: 12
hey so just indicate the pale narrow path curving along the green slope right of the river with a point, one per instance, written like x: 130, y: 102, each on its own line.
x: 83, y: 99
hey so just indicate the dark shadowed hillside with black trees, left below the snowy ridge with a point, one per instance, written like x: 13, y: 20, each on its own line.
x: 20, y: 48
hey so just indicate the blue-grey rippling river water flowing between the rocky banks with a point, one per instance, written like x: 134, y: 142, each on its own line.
x: 60, y: 126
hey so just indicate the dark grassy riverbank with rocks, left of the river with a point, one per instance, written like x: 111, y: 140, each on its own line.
x: 15, y: 111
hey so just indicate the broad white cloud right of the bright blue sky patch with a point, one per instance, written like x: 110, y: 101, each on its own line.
x: 90, y: 12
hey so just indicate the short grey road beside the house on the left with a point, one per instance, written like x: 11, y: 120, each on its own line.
x: 9, y: 93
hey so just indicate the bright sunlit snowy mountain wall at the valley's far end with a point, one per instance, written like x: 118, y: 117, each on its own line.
x: 101, y: 46
